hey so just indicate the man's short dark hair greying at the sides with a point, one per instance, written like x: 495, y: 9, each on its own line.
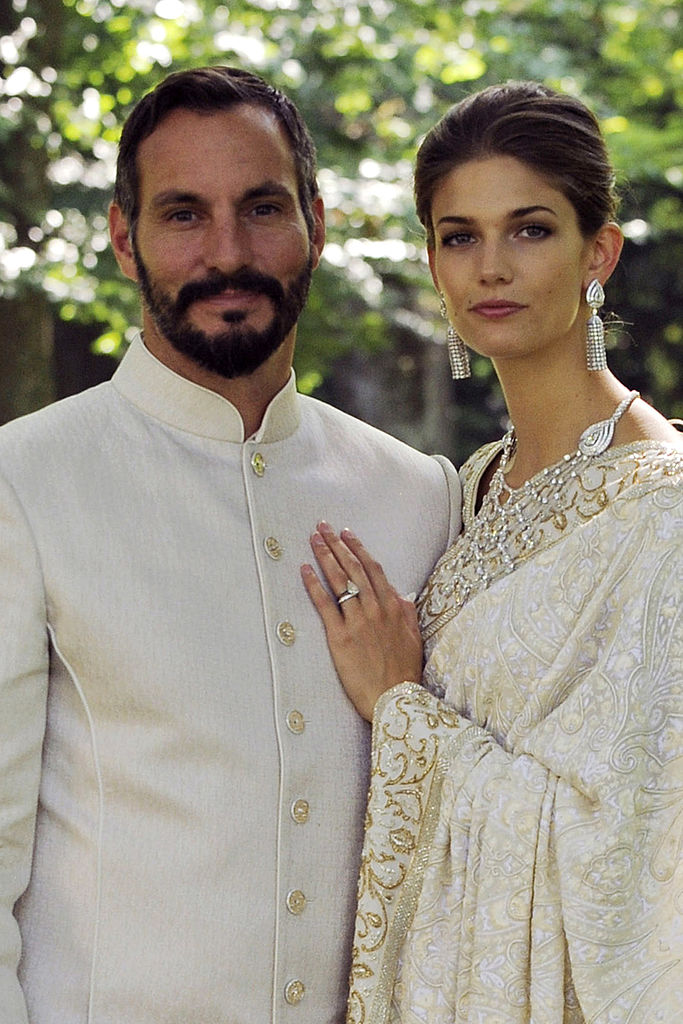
x: 208, y: 91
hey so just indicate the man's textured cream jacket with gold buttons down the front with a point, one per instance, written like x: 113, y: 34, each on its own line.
x: 151, y: 601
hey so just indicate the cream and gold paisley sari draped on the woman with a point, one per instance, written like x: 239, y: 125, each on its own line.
x: 523, y: 856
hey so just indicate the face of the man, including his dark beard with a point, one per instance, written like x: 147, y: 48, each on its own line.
x: 222, y: 252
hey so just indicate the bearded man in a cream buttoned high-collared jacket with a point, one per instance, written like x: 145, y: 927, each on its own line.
x: 183, y: 782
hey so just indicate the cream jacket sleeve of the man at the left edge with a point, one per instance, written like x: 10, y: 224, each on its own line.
x: 24, y: 673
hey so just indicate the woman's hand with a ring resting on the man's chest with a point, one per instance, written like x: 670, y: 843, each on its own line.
x: 374, y: 637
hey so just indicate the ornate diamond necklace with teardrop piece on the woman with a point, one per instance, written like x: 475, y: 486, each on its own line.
x: 504, y: 533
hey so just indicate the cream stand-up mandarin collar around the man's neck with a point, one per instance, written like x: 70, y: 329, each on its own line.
x: 168, y: 397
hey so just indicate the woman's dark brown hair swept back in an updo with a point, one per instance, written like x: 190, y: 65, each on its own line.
x: 554, y: 135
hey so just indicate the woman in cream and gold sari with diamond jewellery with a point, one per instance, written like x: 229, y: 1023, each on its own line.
x: 523, y: 850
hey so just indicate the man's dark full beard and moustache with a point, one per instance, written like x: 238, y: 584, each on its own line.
x: 240, y: 351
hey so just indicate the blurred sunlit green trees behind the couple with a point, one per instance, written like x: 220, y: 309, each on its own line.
x: 370, y: 78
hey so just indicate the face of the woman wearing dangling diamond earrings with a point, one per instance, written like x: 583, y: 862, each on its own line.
x: 510, y: 260
